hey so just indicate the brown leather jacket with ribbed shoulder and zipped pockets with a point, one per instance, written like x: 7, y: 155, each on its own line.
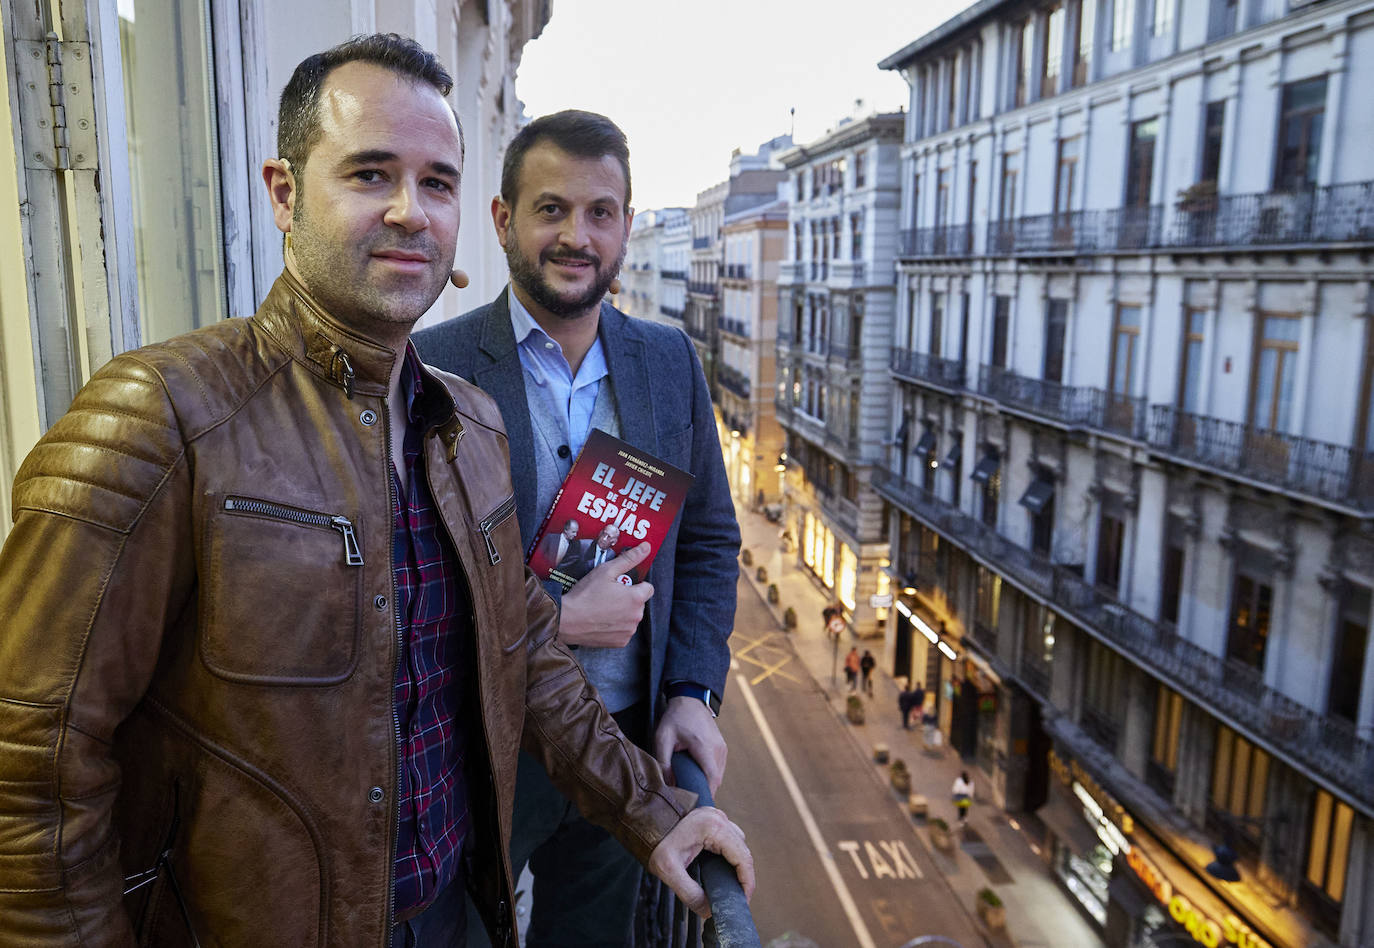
x: 199, y: 651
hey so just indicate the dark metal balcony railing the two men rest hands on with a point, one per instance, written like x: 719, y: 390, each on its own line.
x: 663, y: 921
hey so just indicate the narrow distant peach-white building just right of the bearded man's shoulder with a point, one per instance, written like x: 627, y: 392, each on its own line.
x: 755, y: 242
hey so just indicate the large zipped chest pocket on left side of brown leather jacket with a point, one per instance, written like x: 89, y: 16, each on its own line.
x: 281, y: 593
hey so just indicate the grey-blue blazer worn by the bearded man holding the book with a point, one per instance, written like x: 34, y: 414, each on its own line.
x: 664, y: 409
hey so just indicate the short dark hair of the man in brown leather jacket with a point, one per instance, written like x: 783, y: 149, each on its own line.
x: 299, y: 113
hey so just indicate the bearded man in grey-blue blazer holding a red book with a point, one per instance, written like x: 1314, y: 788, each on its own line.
x: 560, y: 362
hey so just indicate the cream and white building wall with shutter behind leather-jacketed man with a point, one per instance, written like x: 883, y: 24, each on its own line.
x: 133, y: 199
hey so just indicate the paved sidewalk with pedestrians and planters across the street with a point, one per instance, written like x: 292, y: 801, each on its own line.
x: 995, y: 851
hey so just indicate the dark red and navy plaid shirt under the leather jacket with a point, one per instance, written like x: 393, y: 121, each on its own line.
x: 433, y: 612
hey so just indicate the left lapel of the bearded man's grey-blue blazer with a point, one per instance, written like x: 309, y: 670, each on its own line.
x: 499, y: 374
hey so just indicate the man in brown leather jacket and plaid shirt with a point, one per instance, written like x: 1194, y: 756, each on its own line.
x: 221, y: 630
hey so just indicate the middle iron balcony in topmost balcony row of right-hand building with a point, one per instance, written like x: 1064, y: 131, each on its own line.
x: 1078, y: 233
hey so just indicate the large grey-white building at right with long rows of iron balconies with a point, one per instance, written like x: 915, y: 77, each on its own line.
x: 1130, y: 493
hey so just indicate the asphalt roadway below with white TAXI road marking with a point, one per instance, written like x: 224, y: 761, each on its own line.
x: 839, y: 859
